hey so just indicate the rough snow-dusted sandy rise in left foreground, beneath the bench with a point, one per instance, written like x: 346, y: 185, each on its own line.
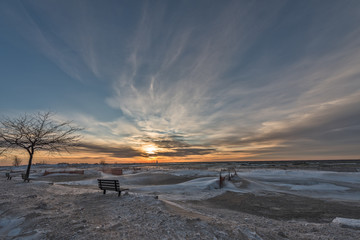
x: 43, y: 211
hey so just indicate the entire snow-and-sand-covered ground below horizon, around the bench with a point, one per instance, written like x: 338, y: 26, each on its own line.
x: 185, y: 203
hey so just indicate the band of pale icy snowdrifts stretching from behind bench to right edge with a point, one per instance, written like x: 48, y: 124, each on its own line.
x: 309, y: 183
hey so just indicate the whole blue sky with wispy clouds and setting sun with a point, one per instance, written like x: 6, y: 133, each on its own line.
x: 188, y: 80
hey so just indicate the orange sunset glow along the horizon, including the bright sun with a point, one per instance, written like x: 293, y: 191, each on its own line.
x: 152, y: 154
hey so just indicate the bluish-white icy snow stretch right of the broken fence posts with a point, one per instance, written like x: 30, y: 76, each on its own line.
x: 309, y: 183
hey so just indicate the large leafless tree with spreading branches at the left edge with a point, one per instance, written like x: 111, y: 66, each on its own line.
x: 37, y: 132
